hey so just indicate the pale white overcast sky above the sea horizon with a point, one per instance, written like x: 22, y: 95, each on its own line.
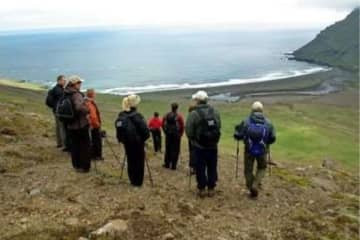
x: 253, y: 14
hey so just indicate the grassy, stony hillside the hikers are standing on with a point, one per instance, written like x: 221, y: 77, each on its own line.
x: 43, y: 198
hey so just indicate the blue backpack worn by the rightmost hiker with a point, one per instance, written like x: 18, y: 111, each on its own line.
x: 255, y: 138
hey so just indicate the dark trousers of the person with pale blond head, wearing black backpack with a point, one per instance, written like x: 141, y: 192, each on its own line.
x: 135, y: 159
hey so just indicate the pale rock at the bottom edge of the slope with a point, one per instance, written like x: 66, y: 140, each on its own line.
x: 114, y: 229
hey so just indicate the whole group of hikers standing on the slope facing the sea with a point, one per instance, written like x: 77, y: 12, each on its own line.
x: 78, y: 130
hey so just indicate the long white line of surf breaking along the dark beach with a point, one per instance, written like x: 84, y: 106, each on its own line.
x: 165, y: 87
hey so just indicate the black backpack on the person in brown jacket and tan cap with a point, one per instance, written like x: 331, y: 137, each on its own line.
x: 65, y: 110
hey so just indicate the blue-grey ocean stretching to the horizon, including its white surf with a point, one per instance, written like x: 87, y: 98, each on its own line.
x: 142, y: 60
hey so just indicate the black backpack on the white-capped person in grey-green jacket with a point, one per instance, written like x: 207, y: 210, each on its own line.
x: 208, y: 133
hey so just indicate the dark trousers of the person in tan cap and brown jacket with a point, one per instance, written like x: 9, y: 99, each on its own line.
x: 80, y: 148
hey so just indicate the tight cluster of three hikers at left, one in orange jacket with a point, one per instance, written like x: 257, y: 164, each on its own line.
x: 77, y: 121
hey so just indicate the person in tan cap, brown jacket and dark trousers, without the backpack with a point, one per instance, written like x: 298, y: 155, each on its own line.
x: 78, y: 127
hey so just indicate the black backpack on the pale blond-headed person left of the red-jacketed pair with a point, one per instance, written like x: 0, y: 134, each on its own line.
x: 126, y: 131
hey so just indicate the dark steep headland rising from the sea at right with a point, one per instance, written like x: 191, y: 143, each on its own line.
x: 337, y: 45
